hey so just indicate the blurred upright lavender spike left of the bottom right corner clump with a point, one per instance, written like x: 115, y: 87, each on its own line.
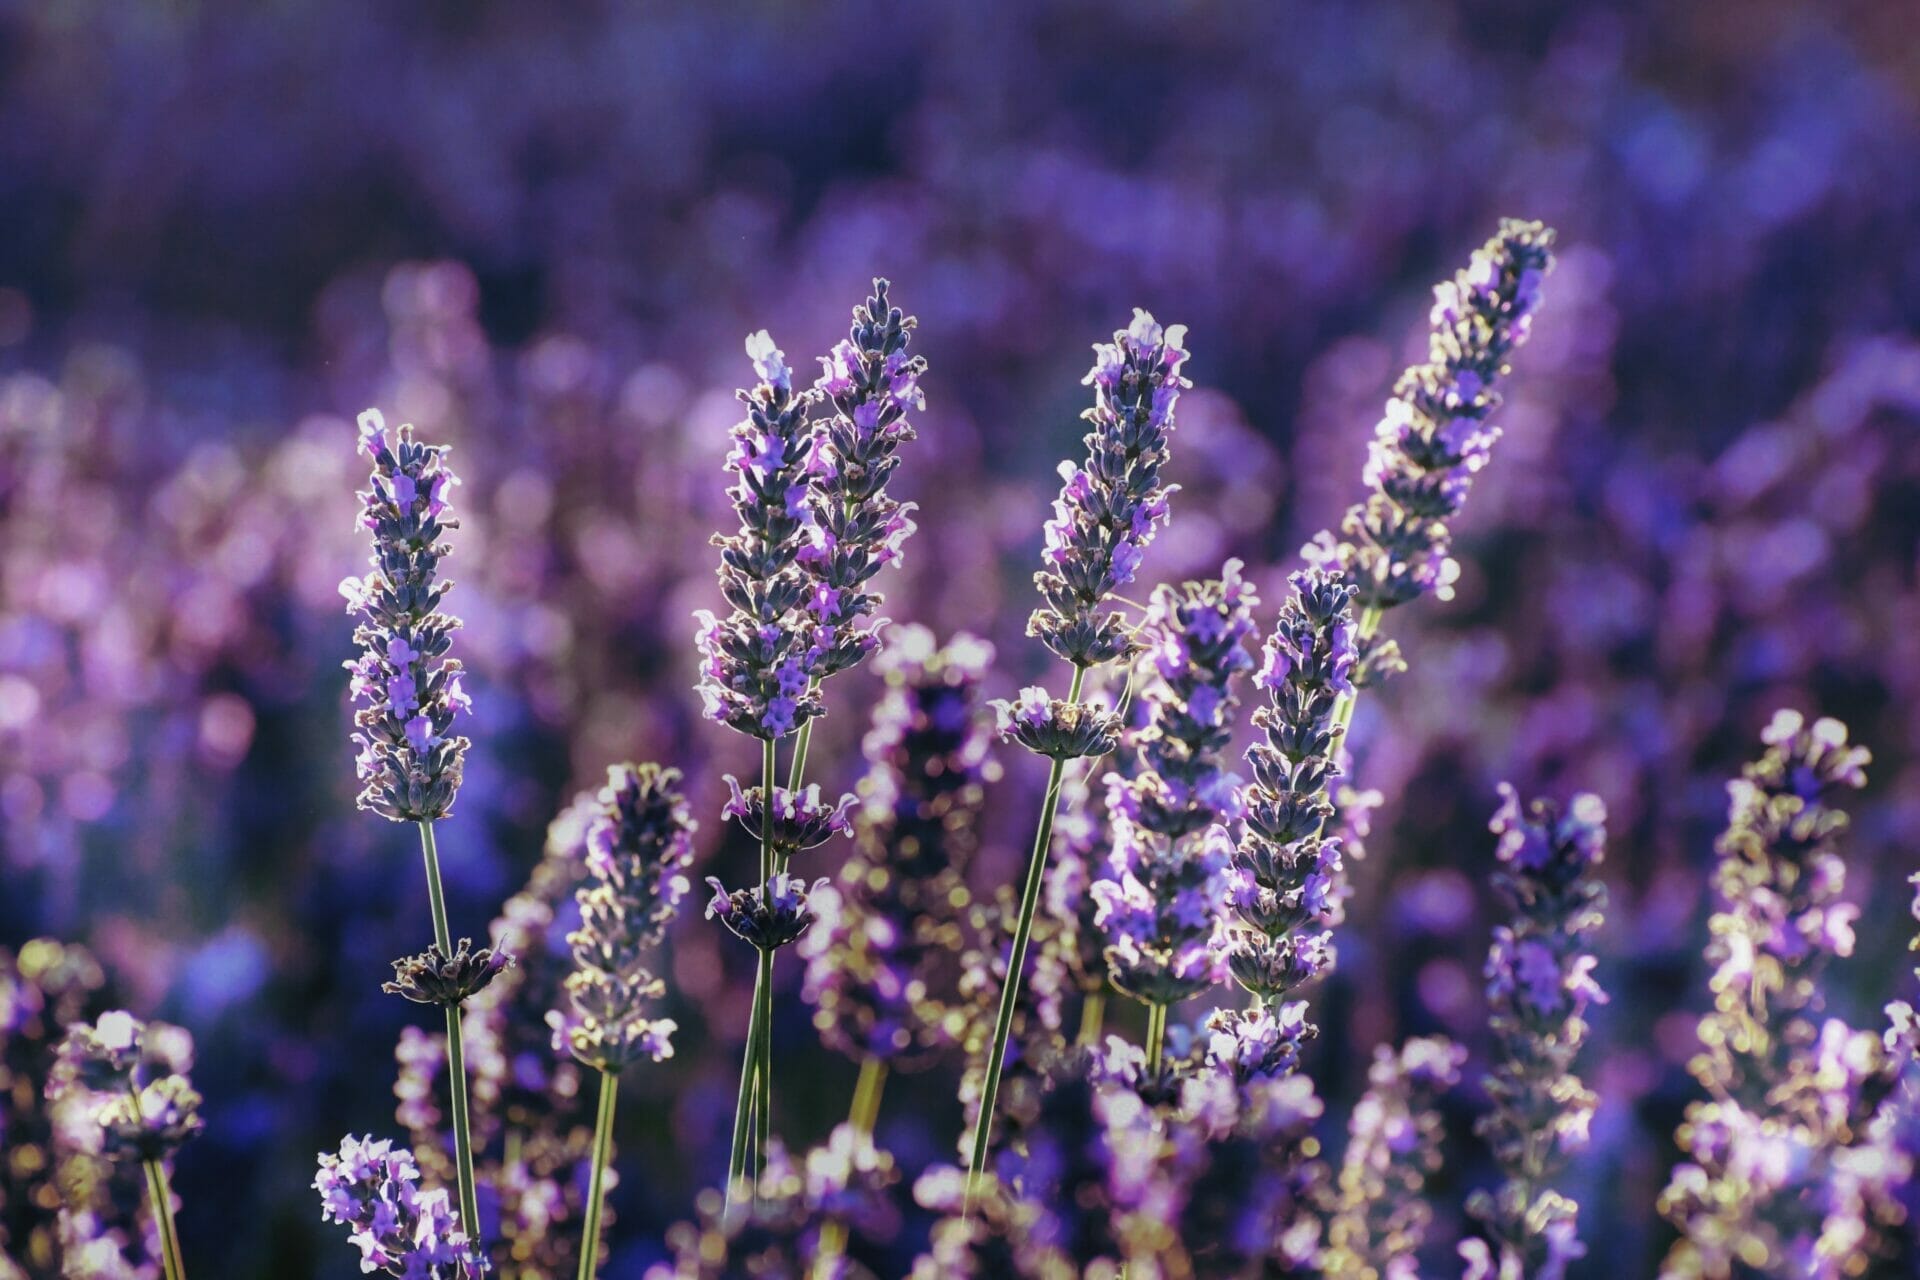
x: 1539, y: 987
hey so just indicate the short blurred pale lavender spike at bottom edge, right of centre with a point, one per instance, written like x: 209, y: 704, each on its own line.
x: 1378, y: 1214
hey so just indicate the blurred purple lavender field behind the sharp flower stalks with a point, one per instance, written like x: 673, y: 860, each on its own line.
x: 542, y: 233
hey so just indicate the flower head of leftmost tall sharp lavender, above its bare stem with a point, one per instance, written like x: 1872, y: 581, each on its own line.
x: 410, y: 692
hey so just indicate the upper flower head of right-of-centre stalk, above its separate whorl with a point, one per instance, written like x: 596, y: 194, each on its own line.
x: 1109, y: 508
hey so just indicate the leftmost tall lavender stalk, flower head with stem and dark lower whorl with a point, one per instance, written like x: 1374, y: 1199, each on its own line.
x: 410, y: 755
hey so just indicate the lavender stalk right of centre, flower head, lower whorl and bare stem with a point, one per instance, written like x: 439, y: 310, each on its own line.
x: 1103, y: 521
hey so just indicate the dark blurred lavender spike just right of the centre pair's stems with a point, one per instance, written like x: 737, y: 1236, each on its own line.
x: 884, y: 962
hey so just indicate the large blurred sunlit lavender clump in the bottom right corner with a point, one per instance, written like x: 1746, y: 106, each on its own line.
x: 1787, y: 1158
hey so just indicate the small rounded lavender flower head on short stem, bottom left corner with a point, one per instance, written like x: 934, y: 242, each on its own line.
x: 132, y: 1081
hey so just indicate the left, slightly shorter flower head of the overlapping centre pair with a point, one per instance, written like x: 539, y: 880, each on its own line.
x: 757, y: 665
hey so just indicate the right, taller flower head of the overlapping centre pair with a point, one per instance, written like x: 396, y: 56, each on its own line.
x: 857, y: 531
